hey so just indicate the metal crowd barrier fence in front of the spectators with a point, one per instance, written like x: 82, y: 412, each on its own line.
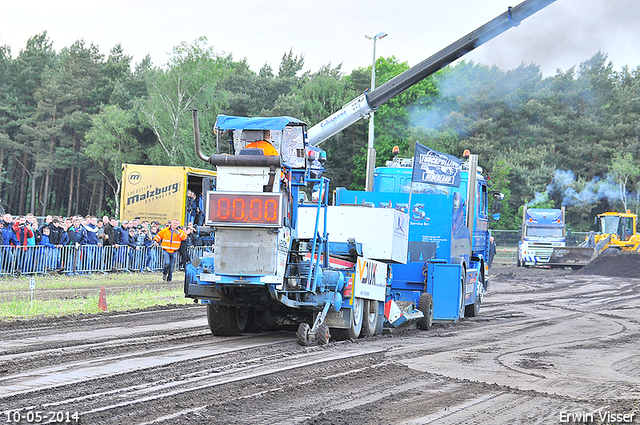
x: 85, y: 259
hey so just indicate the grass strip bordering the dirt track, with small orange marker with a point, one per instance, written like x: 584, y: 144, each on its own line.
x: 121, y: 301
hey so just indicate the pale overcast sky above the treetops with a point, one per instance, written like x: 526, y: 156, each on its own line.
x: 560, y: 36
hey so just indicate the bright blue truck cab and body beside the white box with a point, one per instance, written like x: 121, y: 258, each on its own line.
x: 447, y: 253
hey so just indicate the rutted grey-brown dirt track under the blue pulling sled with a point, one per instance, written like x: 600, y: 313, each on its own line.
x: 548, y: 344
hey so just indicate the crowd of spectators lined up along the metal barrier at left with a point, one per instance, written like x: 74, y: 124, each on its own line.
x: 79, y: 244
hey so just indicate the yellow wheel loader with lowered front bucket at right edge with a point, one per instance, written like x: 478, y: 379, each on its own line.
x: 616, y: 232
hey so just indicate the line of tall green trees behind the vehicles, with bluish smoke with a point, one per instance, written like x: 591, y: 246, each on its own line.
x: 70, y: 119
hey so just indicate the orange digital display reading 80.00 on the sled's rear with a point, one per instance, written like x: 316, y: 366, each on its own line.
x: 244, y: 209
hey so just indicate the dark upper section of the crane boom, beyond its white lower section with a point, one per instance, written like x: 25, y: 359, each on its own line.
x: 429, y: 66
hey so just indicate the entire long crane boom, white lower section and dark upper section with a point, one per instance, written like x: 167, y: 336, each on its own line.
x: 366, y: 103
